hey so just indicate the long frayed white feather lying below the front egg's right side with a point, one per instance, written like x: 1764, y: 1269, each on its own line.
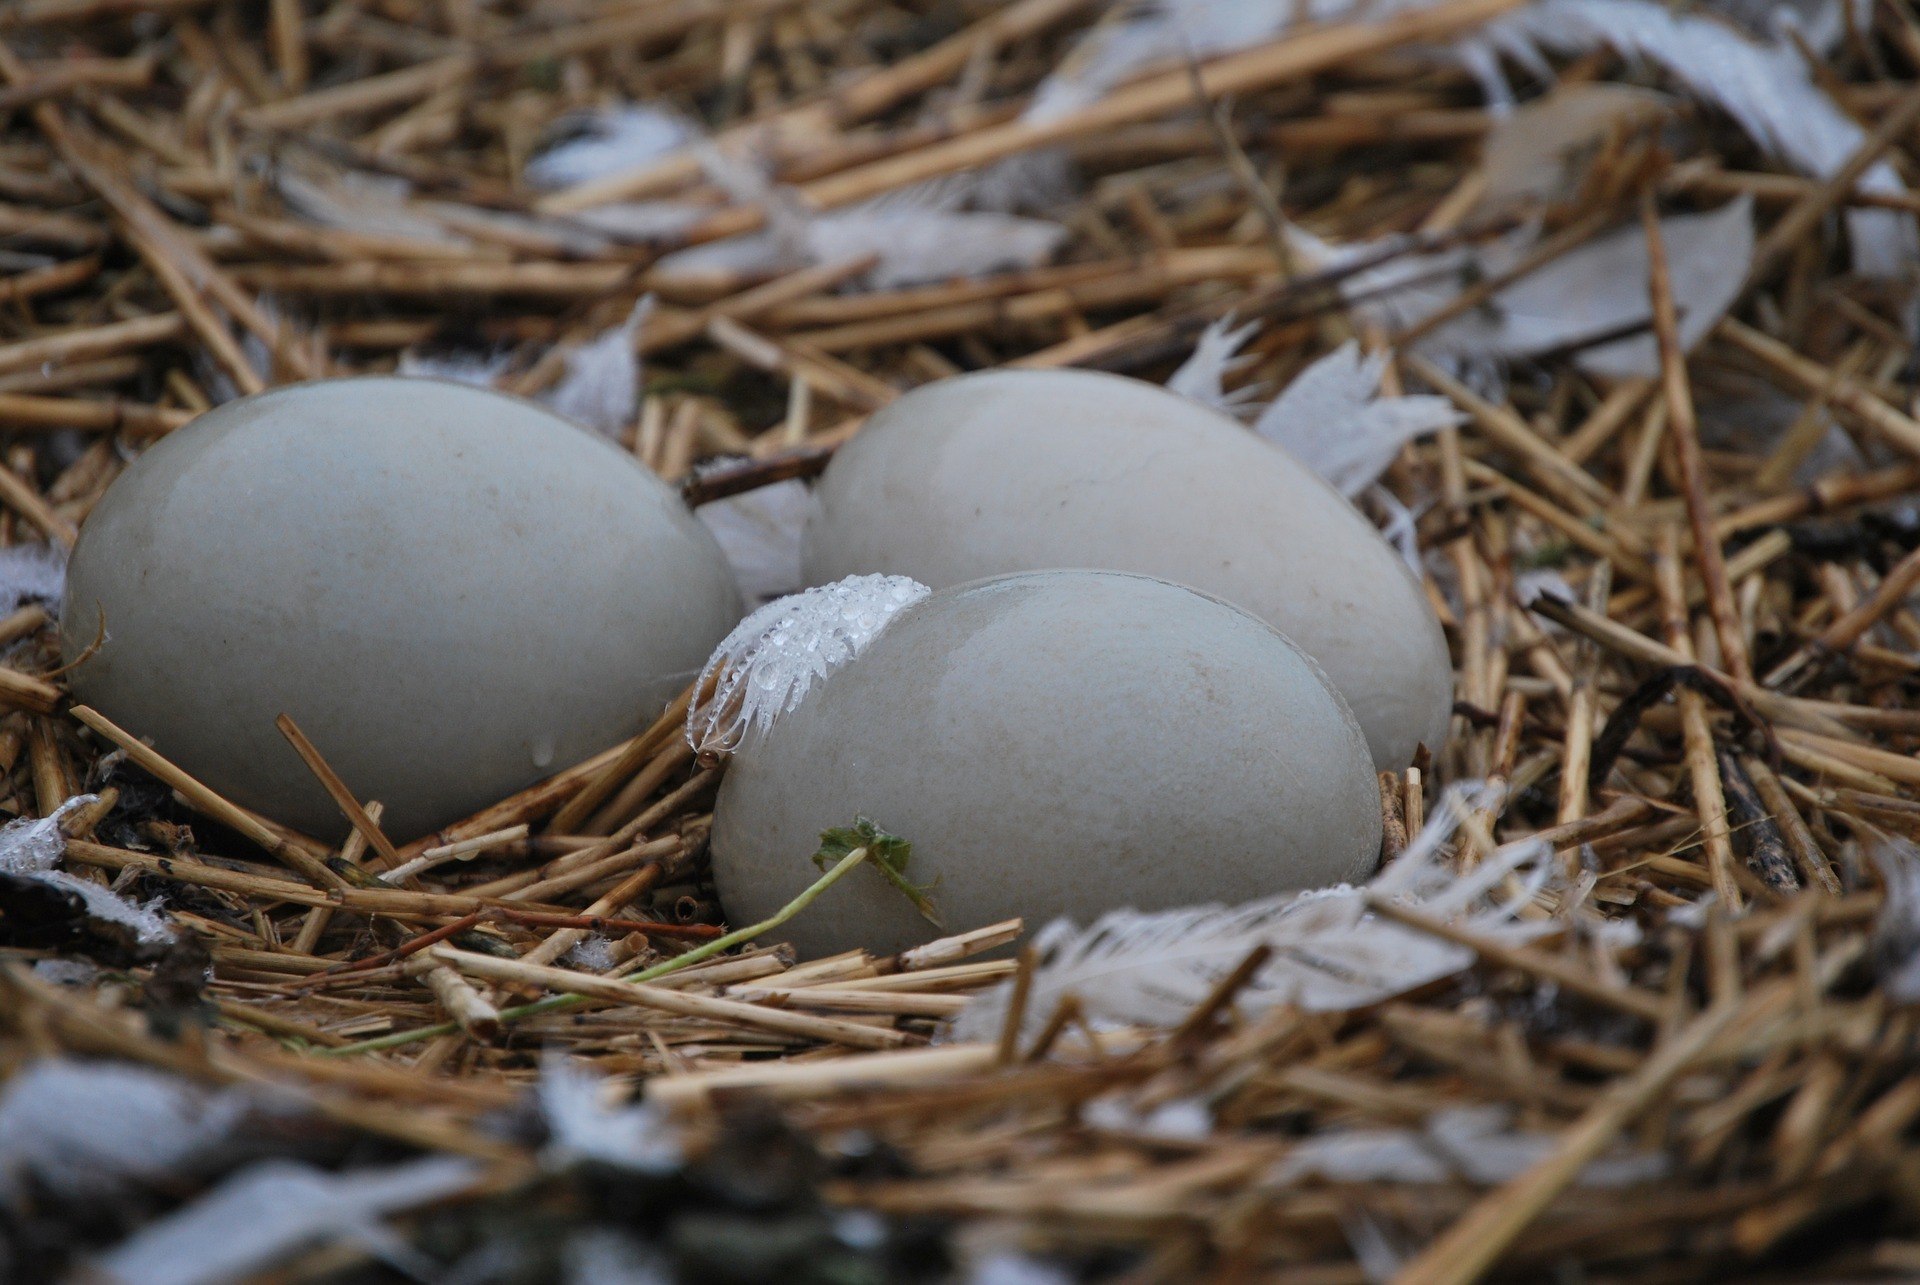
x: 1330, y: 950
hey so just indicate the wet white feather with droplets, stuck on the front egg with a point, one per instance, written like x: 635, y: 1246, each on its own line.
x: 775, y: 658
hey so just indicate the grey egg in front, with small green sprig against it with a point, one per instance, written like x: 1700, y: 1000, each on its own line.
x: 1057, y: 742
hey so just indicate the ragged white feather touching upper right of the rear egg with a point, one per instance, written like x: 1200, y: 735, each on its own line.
x: 1335, y: 422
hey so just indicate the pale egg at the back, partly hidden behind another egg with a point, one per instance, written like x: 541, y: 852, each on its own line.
x: 1030, y: 470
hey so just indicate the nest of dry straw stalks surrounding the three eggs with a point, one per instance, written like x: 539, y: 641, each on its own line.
x: 1679, y: 606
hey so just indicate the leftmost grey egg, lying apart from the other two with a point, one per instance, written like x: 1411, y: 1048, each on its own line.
x: 452, y: 593
